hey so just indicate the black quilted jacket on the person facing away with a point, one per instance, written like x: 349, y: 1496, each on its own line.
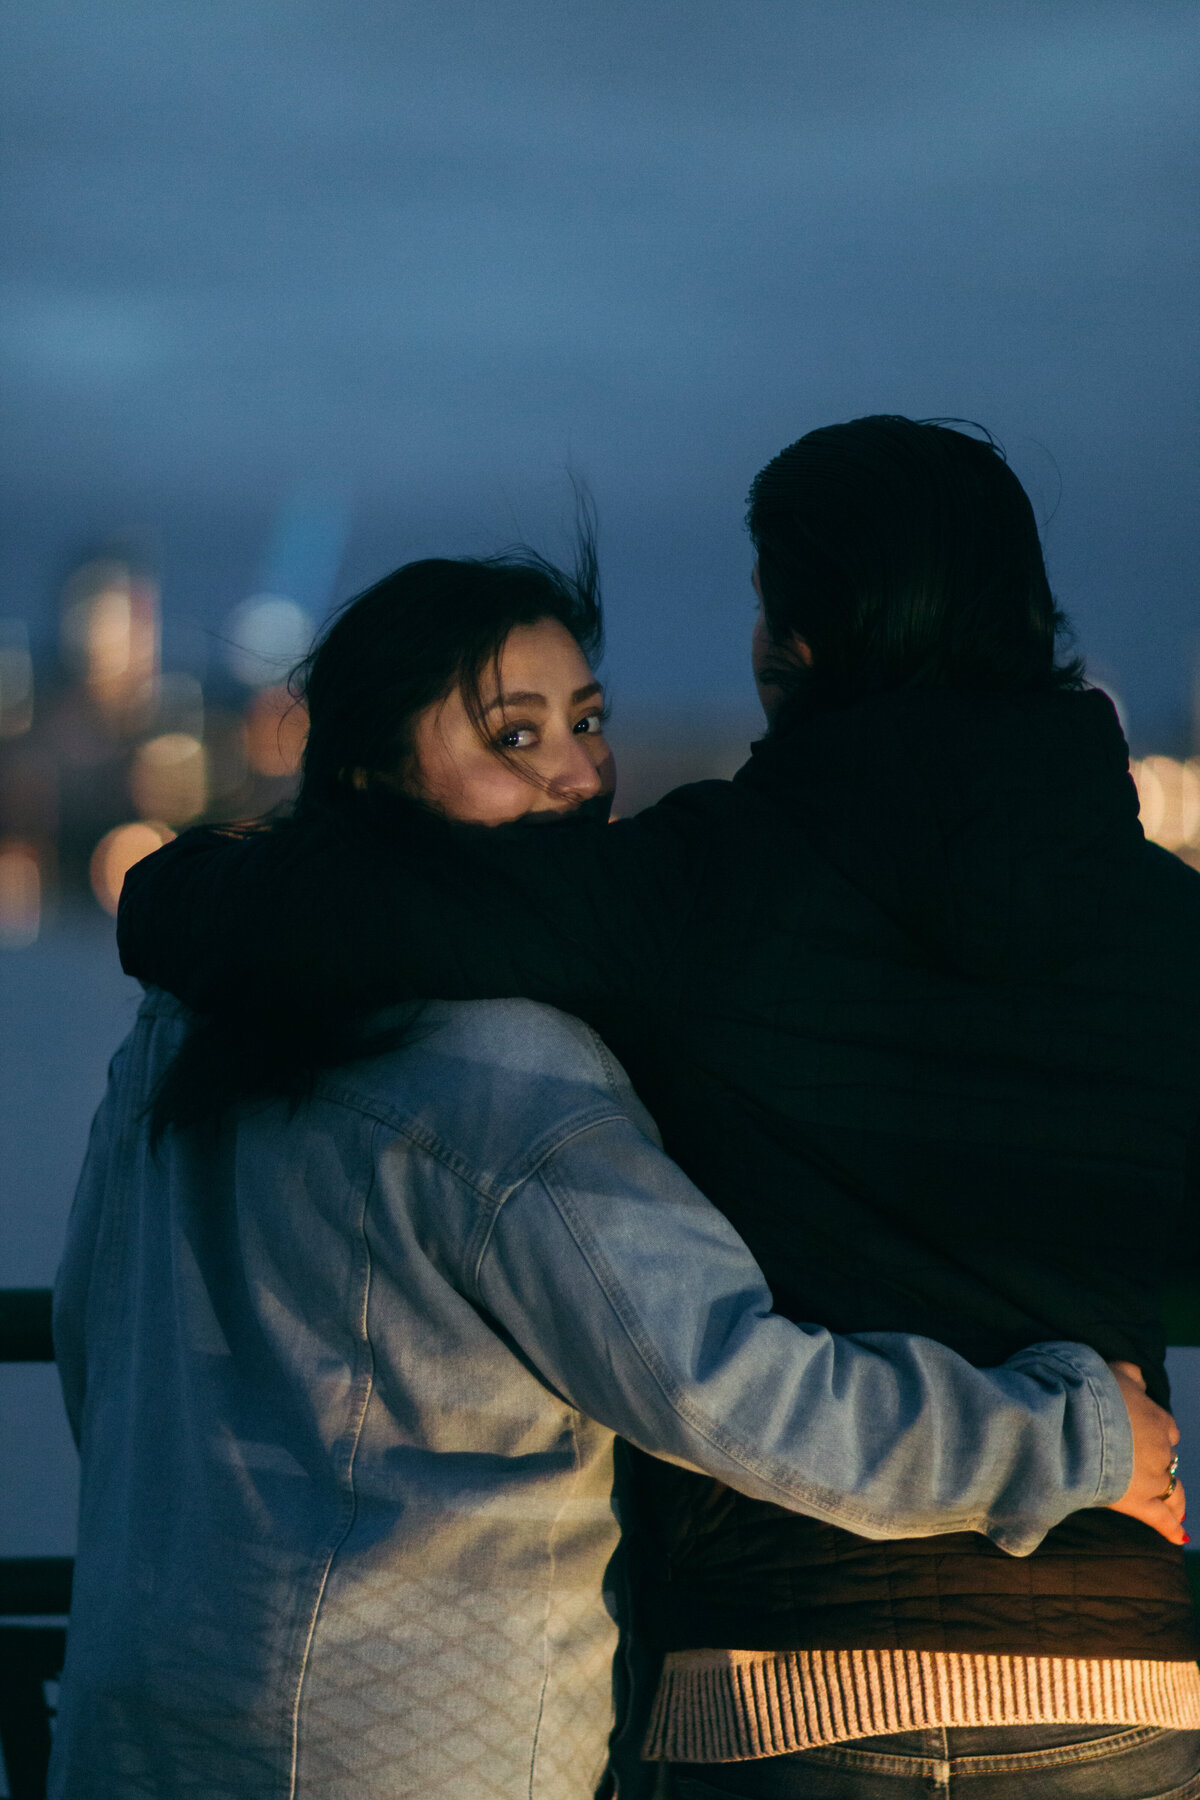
x: 920, y: 1011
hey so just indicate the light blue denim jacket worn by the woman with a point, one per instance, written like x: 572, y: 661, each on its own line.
x: 346, y: 1387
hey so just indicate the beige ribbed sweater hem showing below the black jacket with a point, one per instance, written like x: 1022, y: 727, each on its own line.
x: 737, y: 1705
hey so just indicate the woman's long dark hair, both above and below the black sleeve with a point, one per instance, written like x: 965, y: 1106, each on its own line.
x: 390, y: 654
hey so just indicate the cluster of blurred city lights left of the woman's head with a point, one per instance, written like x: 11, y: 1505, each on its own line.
x: 105, y: 753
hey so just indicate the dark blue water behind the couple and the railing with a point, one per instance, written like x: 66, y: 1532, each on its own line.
x: 64, y: 1011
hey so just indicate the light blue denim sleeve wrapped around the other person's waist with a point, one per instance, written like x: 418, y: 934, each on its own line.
x: 638, y: 1300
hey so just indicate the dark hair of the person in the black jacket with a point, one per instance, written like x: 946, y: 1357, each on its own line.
x: 904, y: 553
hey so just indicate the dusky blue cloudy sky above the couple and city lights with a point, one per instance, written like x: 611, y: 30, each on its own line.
x: 390, y: 269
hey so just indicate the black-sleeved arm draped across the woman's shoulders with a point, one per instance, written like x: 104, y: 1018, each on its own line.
x: 386, y: 903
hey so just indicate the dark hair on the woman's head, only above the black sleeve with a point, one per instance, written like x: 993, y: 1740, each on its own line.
x: 416, y: 636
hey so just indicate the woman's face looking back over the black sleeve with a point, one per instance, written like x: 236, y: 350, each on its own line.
x: 546, y: 714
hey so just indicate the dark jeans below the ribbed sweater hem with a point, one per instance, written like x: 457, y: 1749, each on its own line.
x: 967, y: 1763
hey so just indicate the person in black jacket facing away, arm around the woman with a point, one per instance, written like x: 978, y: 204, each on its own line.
x: 915, y: 1003
